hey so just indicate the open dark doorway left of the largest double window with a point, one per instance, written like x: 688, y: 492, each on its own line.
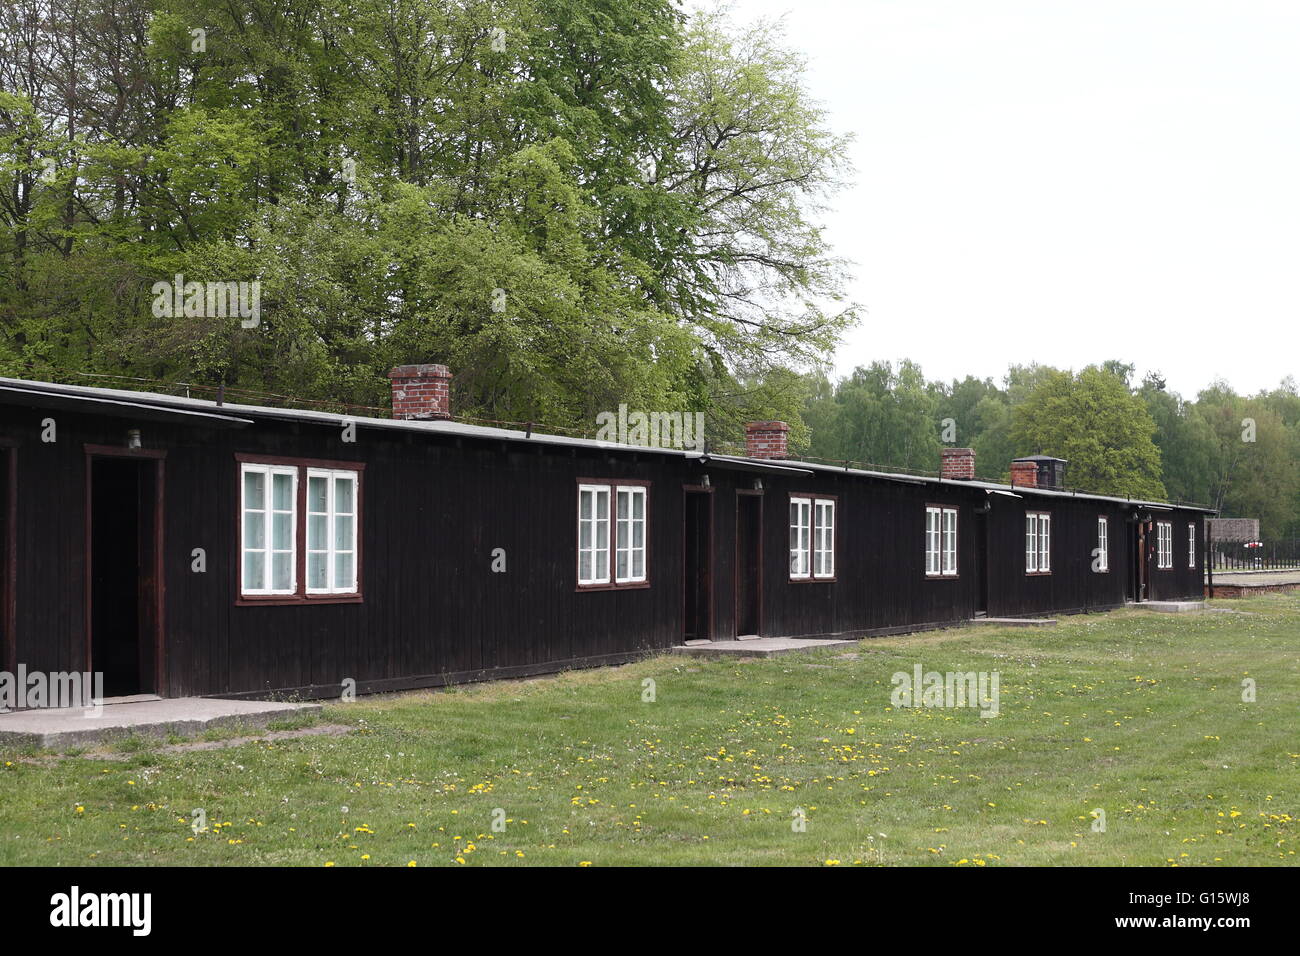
x: 124, y: 572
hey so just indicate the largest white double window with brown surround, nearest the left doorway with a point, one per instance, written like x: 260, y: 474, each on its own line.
x: 298, y: 530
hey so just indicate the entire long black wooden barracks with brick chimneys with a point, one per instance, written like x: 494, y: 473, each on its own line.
x: 184, y: 547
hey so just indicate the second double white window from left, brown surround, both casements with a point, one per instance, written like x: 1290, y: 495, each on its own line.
x: 612, y: 535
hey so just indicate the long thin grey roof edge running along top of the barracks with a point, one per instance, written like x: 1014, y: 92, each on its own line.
x: 120, y: 401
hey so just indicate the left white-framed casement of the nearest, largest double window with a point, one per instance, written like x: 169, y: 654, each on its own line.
x: 268, y: 505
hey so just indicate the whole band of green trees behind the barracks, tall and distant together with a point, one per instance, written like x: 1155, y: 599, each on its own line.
x: 575, y: 205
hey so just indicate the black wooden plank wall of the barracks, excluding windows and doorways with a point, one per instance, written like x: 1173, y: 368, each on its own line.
x: 434, y: 511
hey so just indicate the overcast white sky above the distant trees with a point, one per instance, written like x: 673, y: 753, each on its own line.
x: 1065, y: 181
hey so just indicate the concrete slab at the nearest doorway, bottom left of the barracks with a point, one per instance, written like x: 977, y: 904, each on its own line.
x: 64, y: 728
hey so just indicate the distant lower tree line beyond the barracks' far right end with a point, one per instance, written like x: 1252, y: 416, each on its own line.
x: 1133, y: 439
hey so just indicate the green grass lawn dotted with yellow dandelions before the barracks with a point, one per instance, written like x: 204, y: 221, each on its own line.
x: 1137, y: 715
